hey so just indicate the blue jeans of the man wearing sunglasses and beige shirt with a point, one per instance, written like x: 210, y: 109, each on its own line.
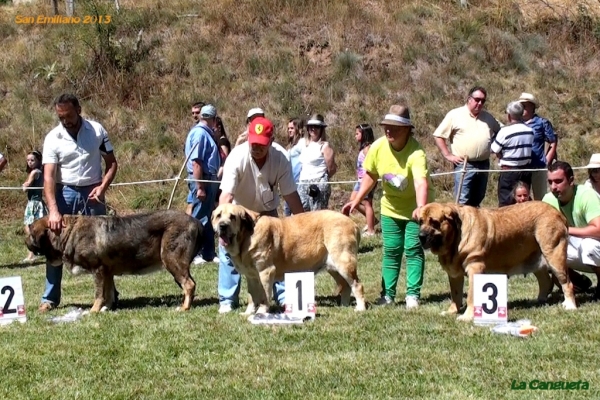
x: 475, y: 183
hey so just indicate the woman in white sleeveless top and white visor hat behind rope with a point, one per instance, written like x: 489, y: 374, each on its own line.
x: 318, y: 165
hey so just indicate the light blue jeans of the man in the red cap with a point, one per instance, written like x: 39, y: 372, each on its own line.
x: 230, y: 282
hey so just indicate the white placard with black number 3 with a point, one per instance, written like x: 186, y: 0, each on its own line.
x: 490, y: 299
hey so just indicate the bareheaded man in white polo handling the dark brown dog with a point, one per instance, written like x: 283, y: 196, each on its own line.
x: 73, y: 182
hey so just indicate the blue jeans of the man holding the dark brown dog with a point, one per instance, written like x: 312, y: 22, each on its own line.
x: 69, y: 200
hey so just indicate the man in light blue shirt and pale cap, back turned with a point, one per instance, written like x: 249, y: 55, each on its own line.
x: 204, y: 161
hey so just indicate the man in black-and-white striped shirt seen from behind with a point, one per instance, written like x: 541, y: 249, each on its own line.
x: 513, y: 146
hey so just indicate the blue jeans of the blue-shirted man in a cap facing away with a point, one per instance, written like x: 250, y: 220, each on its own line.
x: 202, y: 211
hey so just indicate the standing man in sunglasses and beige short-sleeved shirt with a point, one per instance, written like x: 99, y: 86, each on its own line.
x: 470, y: 130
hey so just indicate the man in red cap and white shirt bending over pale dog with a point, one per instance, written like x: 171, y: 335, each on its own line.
x: 250, y: 175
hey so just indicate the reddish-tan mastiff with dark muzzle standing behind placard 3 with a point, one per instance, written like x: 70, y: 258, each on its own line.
x: 530, y: 237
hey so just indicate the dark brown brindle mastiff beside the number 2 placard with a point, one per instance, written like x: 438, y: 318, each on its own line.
x: 106, y: 246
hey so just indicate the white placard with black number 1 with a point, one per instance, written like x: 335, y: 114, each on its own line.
x: 300, y: 294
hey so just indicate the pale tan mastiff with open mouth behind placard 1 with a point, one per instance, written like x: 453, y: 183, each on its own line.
x: 264, y: 248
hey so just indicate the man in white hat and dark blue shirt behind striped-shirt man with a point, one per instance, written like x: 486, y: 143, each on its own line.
x: 542, y: 133
